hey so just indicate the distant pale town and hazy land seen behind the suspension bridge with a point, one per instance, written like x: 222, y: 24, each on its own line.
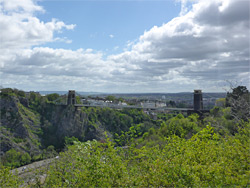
x: 150, y: 100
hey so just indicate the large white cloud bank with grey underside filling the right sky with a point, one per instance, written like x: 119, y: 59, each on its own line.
x: 195, y: 47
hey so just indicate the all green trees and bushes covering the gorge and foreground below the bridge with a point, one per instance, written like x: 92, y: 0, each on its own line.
x: 172, y: 151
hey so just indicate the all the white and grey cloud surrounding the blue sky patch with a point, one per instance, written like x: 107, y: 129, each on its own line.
x: 206, y: 45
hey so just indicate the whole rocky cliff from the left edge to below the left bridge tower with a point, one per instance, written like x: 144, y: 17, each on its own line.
x: 25, y: 129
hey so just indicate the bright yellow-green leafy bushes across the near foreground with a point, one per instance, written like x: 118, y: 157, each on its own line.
x: 205, y: 160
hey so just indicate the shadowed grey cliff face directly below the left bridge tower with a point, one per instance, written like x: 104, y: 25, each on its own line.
x: 68, y: 121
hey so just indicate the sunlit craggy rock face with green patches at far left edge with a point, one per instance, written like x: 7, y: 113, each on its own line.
x: 17, y: 126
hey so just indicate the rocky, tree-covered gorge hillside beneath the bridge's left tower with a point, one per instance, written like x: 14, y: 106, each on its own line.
x: 34, y: 126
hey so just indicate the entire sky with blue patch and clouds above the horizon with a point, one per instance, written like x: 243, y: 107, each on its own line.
x: 124, y: 46
